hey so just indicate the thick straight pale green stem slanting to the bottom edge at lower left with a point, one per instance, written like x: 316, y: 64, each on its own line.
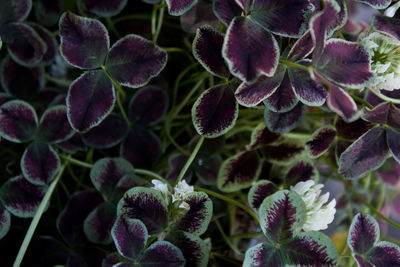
x: 36, y: 218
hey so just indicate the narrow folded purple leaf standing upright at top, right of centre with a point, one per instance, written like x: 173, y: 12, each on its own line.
x: 320, y: 24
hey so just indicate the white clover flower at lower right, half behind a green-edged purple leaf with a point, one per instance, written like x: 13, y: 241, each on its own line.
x: 318, y: 214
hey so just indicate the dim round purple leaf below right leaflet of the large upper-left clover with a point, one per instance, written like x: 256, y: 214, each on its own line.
x: 148, y: 106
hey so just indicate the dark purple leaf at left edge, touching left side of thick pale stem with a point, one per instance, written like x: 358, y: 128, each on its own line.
x: 20, y: 197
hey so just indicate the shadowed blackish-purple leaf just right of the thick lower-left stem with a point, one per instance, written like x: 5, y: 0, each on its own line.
x: 70, y: 220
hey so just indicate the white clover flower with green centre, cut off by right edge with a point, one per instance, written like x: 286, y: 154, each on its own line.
x: 385, y: 60
